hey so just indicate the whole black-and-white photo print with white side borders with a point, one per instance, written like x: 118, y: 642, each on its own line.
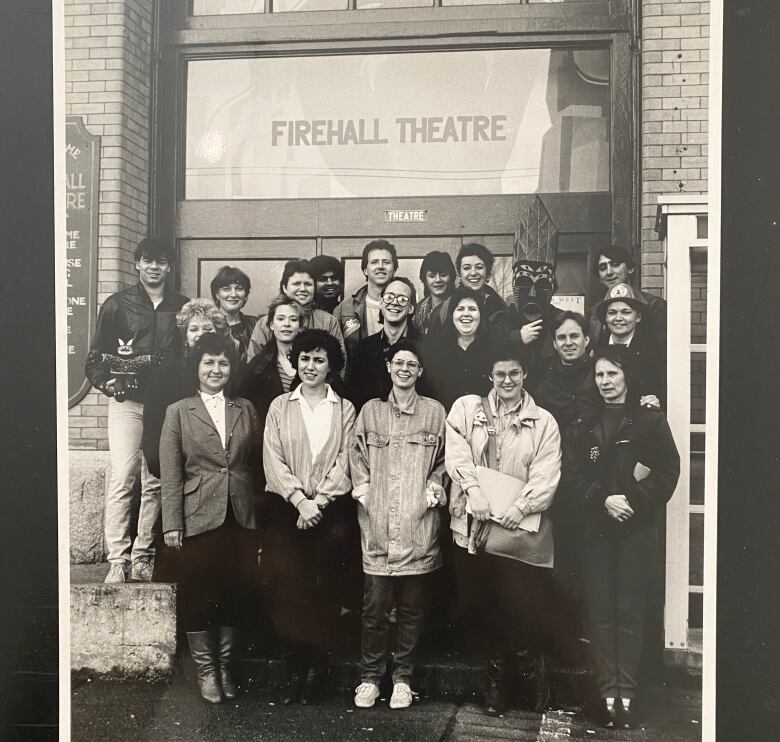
x: 391, y: 369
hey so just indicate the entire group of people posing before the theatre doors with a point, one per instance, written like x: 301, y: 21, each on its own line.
x: 503, y: 442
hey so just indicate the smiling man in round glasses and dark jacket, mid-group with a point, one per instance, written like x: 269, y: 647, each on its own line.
x: 368, y: 376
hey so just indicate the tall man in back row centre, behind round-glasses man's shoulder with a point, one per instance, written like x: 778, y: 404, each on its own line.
x: 358, y: 314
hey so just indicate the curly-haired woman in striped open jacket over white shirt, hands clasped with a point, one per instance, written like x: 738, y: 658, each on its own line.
x: 311, y: 540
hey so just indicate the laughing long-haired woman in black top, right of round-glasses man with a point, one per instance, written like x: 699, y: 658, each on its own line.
x: 458, y: 357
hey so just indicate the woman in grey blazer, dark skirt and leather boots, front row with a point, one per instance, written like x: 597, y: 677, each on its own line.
x: 209, y: 453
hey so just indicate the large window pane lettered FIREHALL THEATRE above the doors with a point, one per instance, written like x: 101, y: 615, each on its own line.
x: 389, y: 125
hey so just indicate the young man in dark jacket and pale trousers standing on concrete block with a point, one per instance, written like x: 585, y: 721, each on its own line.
x: 135, y: 323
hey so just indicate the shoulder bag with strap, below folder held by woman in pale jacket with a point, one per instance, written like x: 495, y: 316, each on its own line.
x: 534, y: 548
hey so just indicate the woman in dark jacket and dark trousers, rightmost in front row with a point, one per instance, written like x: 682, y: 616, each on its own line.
x: 622, y: 468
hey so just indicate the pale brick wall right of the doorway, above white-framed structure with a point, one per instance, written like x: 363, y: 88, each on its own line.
x: 675, y: 60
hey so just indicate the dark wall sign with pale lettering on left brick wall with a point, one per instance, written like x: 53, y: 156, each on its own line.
x: 82, y: 168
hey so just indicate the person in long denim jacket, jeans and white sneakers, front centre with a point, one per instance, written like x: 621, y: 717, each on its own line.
x: 397, y: 463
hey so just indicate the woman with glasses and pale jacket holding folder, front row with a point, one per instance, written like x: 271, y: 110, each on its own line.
x: 503, y: 455
